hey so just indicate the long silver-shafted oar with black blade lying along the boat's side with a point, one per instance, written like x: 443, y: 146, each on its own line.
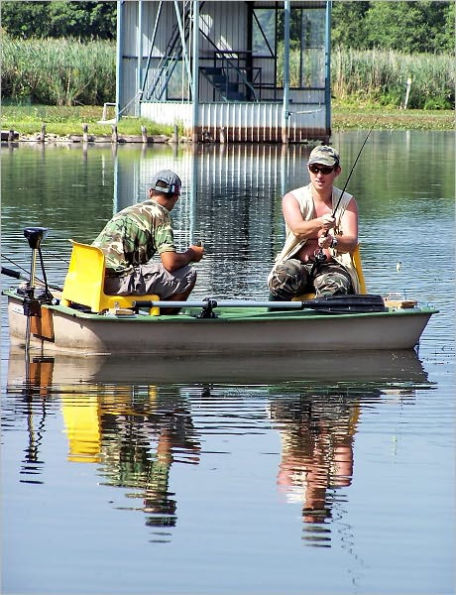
x: 340, y: 304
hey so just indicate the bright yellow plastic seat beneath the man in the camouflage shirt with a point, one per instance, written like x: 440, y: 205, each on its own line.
x: 84, y: 283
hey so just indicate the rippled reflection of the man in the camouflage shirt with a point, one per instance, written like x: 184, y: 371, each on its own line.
x: 139, y: 446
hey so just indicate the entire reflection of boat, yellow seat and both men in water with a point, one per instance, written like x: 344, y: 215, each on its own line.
x: 135, y: 419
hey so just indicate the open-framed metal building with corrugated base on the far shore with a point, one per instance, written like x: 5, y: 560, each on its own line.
x: 227, y: 71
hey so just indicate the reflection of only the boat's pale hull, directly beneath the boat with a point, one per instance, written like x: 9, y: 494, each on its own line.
x: 356, y: 366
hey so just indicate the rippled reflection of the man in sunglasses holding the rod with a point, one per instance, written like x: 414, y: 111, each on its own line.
x: 317, y: 434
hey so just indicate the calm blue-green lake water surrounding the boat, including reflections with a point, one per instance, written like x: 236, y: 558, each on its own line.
x: 311, y: 474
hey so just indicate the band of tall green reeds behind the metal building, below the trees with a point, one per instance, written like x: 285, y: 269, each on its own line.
x: 69, y: 72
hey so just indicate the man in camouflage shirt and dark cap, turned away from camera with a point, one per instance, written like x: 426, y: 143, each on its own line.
x: 138, y: 232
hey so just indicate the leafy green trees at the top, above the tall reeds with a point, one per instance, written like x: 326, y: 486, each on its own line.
x: 415, y: 26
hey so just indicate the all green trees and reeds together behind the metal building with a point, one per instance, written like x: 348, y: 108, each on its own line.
x: 63, y: 53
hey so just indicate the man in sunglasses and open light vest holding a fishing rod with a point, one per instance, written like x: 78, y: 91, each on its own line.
x: 316, y: 256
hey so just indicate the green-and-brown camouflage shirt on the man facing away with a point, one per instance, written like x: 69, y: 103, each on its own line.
x: 134, y: 235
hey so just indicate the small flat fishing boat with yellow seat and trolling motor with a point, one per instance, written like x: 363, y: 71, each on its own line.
x: 82, y: 319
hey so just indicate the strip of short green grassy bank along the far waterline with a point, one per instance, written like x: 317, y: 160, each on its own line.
x: 64, y: 121
